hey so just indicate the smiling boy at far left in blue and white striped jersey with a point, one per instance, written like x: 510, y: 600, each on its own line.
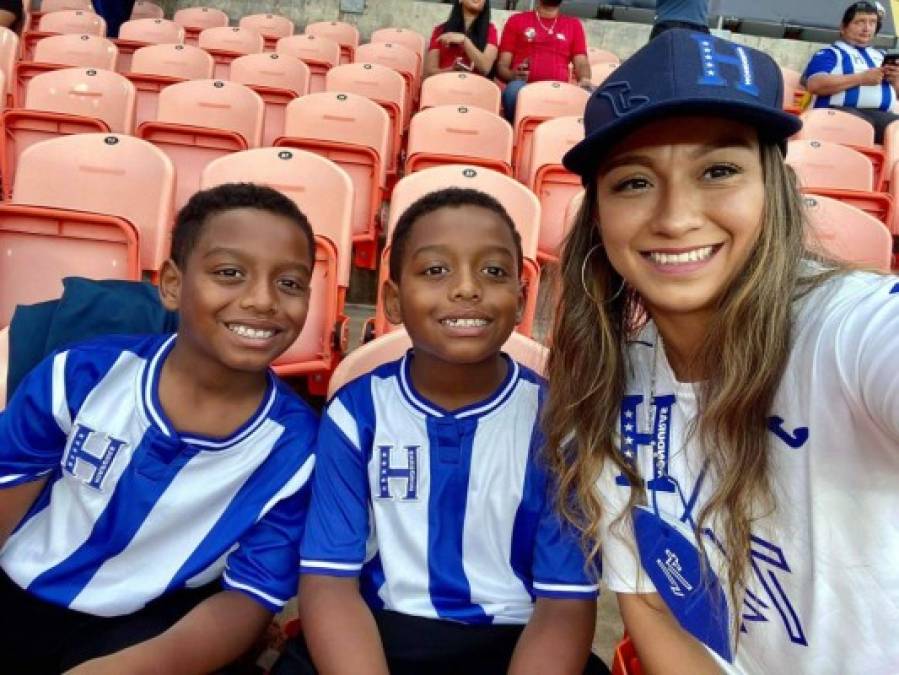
x: 154, y: 488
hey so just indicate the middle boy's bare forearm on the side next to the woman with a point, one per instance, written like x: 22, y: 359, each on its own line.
x: 557, y: 639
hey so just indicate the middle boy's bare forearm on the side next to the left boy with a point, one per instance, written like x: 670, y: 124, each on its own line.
x: 334, y: 615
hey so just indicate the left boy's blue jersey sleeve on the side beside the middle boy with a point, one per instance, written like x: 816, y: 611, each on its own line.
x: 264, y: 564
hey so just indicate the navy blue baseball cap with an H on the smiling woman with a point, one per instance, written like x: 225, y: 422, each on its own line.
x: 682, y: 72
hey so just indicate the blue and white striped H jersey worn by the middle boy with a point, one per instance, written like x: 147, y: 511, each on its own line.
x: 441, y: 514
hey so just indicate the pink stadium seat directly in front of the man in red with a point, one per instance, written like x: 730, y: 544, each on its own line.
x: 537, y: 103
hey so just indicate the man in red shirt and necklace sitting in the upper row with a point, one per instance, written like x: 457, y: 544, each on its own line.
x: 539, y: 45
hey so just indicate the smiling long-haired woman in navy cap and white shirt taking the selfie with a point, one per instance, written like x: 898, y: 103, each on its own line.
x: 747, y: 518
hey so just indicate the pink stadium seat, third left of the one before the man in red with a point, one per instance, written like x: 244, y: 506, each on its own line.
x: 278, y: 79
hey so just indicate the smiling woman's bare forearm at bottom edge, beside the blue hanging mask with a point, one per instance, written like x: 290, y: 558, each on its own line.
x: 664, y: 648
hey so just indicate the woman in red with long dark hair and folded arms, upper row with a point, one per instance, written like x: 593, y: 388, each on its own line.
x: 466, y: 42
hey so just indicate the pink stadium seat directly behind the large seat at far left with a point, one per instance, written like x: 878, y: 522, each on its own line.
x: 63, y: 102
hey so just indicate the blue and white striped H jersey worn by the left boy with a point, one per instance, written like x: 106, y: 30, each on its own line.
x: 132, y: 509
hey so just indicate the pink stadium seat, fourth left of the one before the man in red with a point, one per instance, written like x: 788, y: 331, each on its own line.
x: 157, y: 66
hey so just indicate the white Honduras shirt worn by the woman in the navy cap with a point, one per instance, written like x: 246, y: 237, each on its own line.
x: 823, y: 586
